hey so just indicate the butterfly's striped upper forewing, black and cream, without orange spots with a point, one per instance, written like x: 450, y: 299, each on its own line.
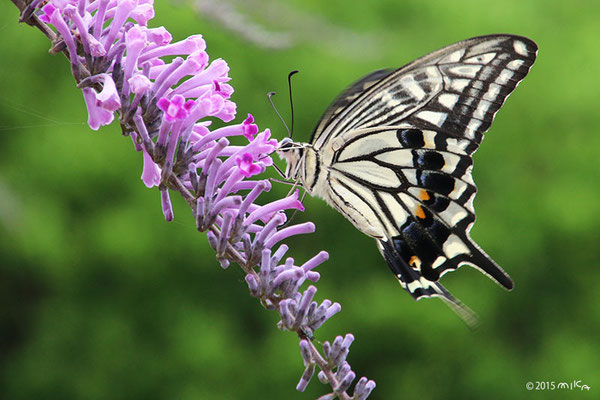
x: 457, y: 89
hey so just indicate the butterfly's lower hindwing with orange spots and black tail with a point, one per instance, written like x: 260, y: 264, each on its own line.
x: 416, y: 198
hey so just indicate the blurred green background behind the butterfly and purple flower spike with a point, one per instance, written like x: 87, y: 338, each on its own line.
x: 100, y: 298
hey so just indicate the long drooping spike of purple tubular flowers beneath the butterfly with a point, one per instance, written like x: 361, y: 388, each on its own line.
x: 163, y: 92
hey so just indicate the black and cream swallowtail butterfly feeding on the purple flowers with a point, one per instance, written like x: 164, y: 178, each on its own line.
x: 393, y: 154
